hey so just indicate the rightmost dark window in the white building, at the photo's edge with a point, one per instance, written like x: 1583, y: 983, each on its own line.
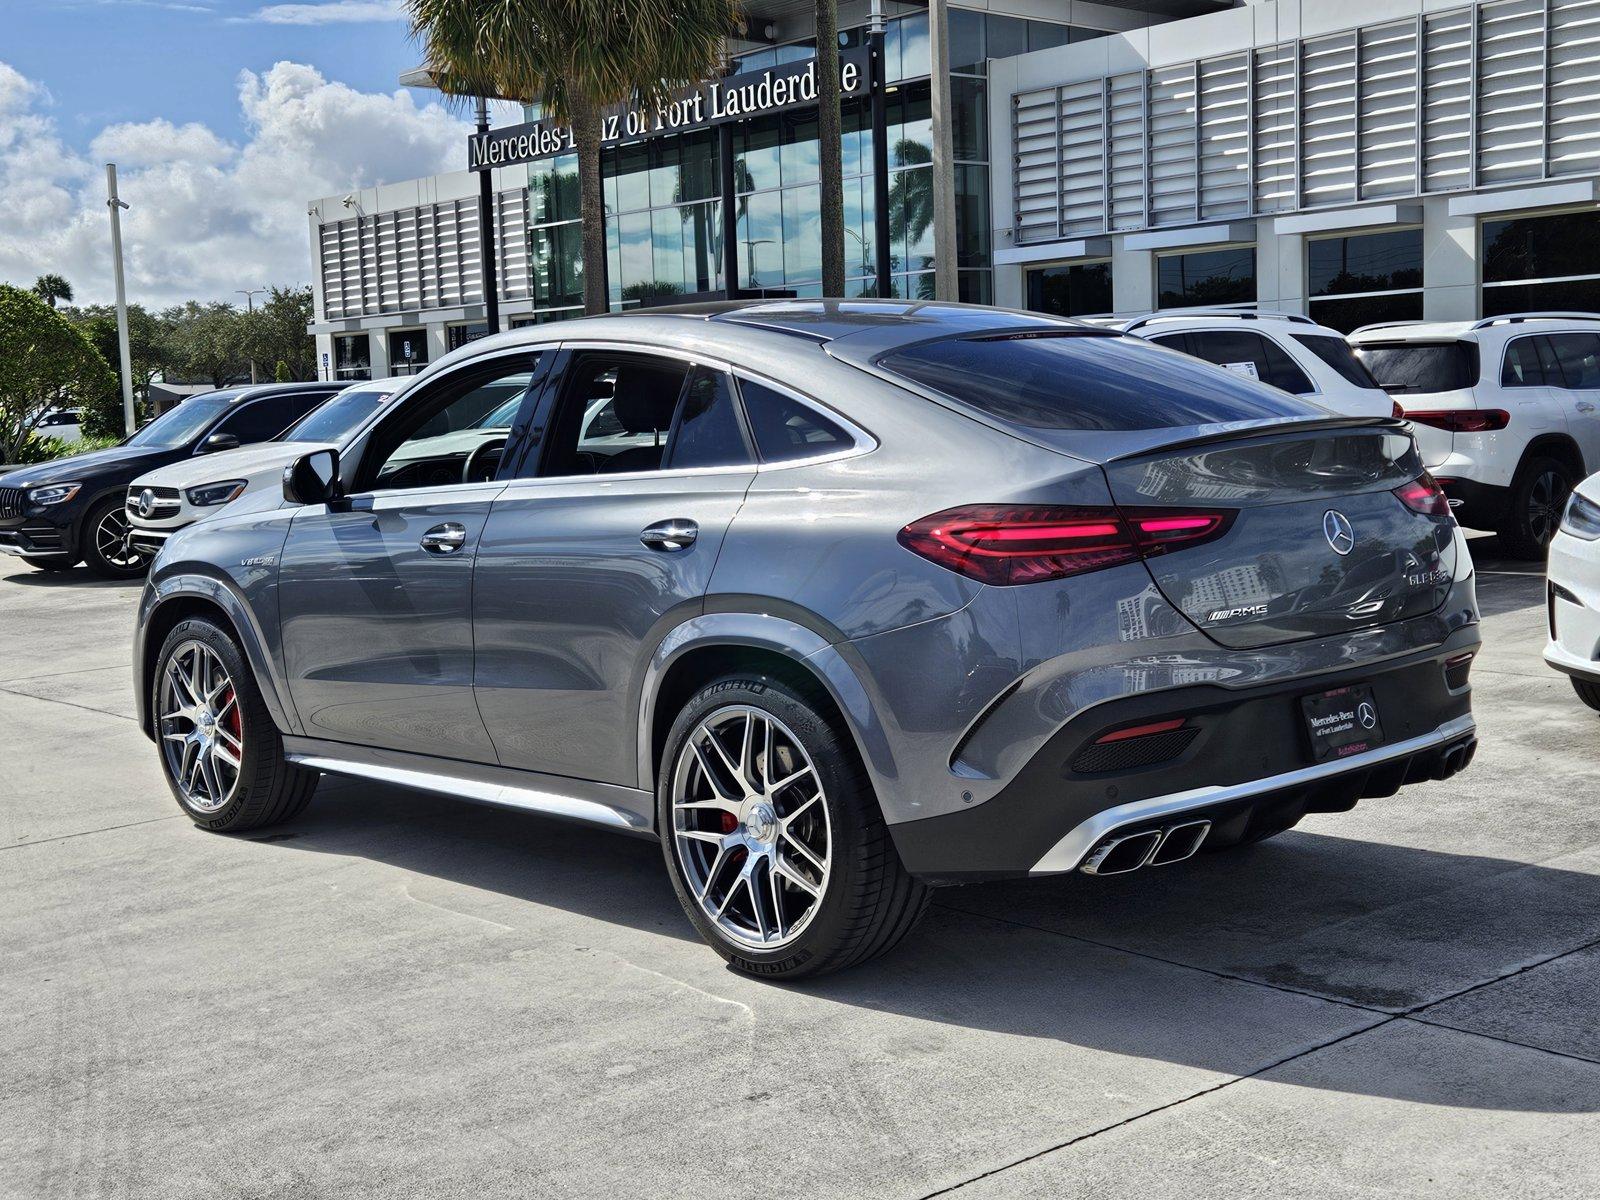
x: 1542, y: 265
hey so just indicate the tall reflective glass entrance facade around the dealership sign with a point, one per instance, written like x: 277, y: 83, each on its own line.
x: 665, y: 225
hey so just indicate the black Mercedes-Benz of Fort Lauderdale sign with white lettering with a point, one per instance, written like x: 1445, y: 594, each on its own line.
x: 732, y: 98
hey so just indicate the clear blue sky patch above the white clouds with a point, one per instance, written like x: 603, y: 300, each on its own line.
x: 110, y: 62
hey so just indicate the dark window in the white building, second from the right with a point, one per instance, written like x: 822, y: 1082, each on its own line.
x: 1366, y: 279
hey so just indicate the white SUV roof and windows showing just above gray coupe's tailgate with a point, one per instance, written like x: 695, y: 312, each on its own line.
x: 1284, y: 350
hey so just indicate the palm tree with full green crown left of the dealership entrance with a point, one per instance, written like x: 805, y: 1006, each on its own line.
x: 575, y: 58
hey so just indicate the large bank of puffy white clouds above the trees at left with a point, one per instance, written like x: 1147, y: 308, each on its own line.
x: 206, y: 215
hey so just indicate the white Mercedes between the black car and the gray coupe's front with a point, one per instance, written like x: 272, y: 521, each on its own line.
x: 178, y: 495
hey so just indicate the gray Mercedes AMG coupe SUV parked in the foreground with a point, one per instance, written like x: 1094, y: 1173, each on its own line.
x: 839, y: 601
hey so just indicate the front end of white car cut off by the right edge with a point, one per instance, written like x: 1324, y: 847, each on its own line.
x: 1575, y: 593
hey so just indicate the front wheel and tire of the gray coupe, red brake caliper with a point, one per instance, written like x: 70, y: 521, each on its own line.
x: 222, y: 753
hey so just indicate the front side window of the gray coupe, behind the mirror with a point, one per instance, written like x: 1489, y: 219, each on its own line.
x: 454, y: 431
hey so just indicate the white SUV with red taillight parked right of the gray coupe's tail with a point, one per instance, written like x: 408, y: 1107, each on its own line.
x: 1505, y: 412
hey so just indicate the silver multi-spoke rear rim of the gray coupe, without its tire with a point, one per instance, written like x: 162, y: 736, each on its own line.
x: 751, y: 828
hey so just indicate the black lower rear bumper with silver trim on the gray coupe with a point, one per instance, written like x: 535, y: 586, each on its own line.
x: 1249, y: 761
